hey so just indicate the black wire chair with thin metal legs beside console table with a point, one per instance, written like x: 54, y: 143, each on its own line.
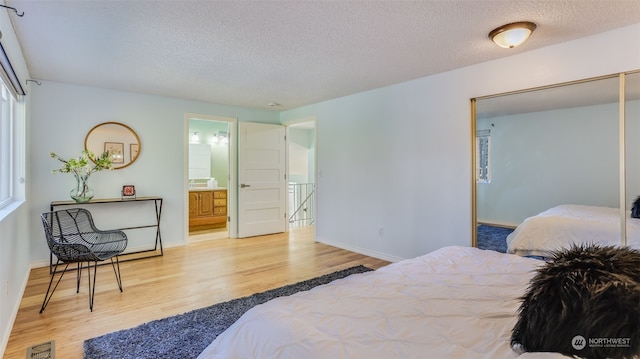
x: 73, y: 238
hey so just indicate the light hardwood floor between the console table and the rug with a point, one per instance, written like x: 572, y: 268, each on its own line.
x: 198, y: 275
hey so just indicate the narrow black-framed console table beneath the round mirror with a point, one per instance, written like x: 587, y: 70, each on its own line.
x: 105, y: 201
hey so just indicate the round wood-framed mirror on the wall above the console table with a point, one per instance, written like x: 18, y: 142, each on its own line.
x: 118, y: 139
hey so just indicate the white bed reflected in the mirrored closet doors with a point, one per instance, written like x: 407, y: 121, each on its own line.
x: 562, y: 226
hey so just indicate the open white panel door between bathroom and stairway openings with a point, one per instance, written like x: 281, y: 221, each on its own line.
x: 262, y: 189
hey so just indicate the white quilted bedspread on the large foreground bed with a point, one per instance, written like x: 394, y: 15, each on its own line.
x: 456, y: 302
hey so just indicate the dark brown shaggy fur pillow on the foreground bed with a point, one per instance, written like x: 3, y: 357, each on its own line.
x: 583, y: 303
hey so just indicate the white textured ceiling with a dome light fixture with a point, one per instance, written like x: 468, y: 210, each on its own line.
x: 294, y: 53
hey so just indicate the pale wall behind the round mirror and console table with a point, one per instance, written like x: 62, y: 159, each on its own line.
x: 62, y: 114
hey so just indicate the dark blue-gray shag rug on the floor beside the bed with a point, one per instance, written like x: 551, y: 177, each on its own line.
x: 186, y: 335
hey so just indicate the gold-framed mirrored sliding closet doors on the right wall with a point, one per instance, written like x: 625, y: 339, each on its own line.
x: 567, y: 144
